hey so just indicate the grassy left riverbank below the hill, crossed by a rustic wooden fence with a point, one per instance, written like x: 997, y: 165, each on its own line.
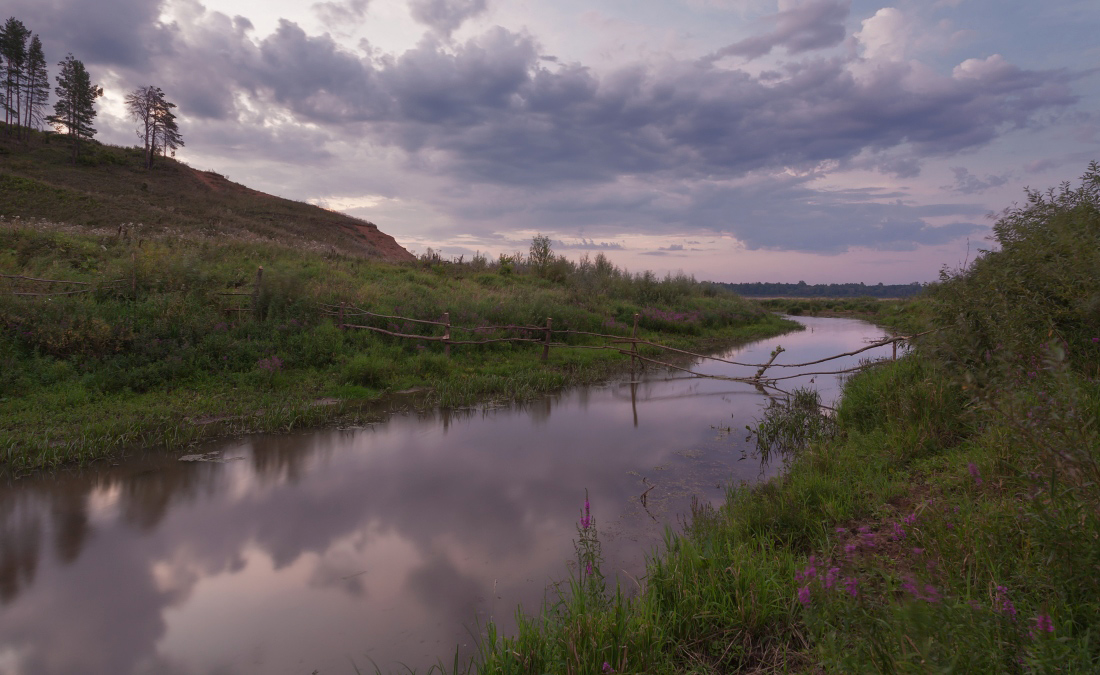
x: 157, y: 353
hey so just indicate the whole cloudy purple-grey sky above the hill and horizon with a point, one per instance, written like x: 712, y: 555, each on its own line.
x: 827, y: 141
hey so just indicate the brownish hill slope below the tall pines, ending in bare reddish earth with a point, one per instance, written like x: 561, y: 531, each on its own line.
x: 109, y: 189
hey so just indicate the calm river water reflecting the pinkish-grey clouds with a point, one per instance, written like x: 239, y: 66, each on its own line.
x: 377, y: 547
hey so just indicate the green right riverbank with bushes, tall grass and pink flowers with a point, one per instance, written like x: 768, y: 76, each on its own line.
x: 952, y: 525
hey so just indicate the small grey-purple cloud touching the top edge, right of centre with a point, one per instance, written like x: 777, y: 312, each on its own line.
x: 815, y: 26
